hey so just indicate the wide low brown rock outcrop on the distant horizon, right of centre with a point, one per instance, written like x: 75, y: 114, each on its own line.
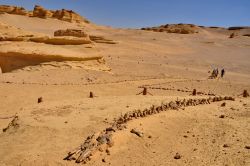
x: 175, y: 28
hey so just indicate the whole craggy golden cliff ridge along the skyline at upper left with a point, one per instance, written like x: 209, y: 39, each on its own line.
x: 39, y: 11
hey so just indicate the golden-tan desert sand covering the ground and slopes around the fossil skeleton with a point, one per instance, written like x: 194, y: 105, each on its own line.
x: 116, y: 64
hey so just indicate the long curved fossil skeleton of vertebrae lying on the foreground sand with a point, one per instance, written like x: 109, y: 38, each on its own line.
x: 103, y: 140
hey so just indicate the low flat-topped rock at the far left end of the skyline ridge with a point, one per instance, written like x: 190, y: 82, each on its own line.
x: 13, y: 10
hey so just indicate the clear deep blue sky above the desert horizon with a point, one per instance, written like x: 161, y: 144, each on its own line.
x: 143, y: 13
